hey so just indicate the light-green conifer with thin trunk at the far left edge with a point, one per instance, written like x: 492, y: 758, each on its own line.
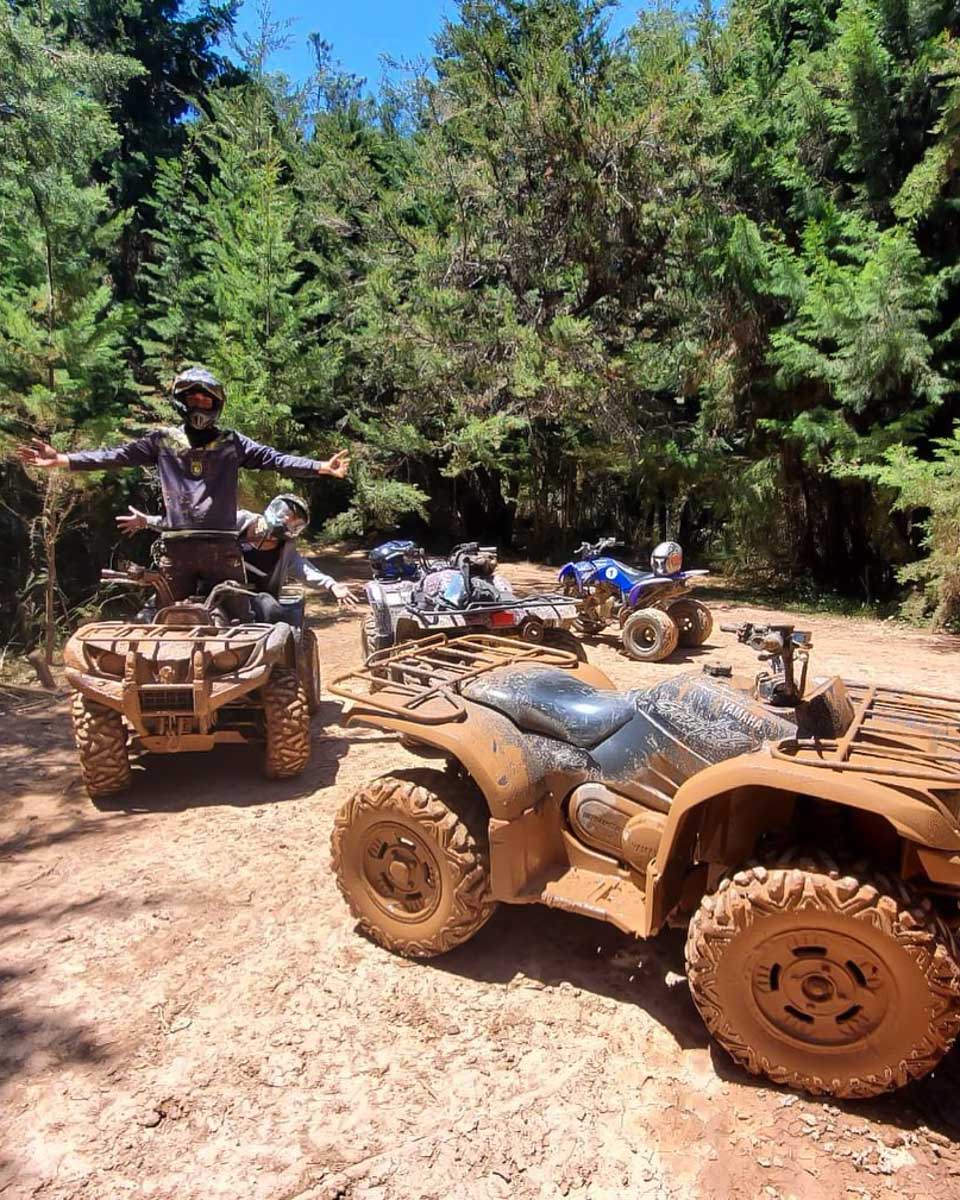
x: 63, y: 373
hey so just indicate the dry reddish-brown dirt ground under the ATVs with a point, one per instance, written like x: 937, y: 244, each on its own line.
x: 187, y: 1010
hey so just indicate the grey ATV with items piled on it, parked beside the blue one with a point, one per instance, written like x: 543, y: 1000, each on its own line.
x: 461, y: 596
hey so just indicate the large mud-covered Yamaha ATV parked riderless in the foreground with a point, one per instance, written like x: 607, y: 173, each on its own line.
x: 808, y: 838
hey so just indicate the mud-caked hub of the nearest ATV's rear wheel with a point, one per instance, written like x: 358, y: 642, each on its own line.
x: 401, y: 872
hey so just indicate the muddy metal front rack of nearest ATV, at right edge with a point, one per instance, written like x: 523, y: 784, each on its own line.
x: 914, y: 735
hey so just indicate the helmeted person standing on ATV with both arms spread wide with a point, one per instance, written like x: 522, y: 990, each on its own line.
x: 199, y: 465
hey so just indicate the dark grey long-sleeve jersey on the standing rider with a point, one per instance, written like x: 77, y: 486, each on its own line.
x: 199, y: 483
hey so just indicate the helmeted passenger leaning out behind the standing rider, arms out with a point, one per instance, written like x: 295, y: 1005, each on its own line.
x: 268, y: 542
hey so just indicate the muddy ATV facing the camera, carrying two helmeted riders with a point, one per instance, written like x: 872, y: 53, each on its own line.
x: 200, y: 674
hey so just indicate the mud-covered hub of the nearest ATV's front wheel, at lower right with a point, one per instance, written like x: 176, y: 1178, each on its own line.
x: 821, y: 987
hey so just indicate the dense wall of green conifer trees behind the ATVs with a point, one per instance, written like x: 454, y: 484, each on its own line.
x: 698, y: 281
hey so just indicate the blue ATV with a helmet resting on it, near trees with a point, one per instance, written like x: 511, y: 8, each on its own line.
x: 652, y: 609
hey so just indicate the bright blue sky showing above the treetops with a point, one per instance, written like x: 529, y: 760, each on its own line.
x: 362, y: 31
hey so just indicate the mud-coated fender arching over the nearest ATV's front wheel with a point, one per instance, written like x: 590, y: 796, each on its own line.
x: 701, y: 811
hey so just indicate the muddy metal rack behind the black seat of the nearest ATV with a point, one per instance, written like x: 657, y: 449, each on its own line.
x: 422, y: 681
